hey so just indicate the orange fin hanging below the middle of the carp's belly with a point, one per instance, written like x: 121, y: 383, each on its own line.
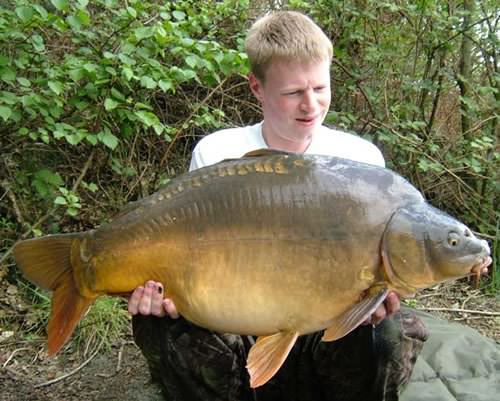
x: 267, y: 355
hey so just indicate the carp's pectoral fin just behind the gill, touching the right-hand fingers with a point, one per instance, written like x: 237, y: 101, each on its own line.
x: 351, y: 319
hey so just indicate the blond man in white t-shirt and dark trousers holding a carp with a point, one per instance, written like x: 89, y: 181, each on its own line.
x: 290, y: 76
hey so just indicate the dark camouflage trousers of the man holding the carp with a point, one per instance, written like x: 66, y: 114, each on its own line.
x: 371, y: 363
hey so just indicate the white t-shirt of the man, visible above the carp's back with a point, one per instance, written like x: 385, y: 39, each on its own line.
x: 235, y: 142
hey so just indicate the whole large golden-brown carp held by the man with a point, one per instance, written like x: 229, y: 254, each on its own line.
x: 272, y: 244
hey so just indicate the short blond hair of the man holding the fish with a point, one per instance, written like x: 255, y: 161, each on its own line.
x: 285, y: 35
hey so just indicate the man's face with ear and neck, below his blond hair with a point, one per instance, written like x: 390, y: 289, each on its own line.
x: 295, y: 98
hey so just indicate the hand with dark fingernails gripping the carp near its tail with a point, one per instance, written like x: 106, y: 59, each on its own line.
x: 148, y: 300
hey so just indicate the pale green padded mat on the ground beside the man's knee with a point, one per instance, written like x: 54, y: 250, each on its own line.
x: 456, y: 364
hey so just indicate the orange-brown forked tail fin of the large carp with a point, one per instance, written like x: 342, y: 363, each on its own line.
x: 46, y: 262
